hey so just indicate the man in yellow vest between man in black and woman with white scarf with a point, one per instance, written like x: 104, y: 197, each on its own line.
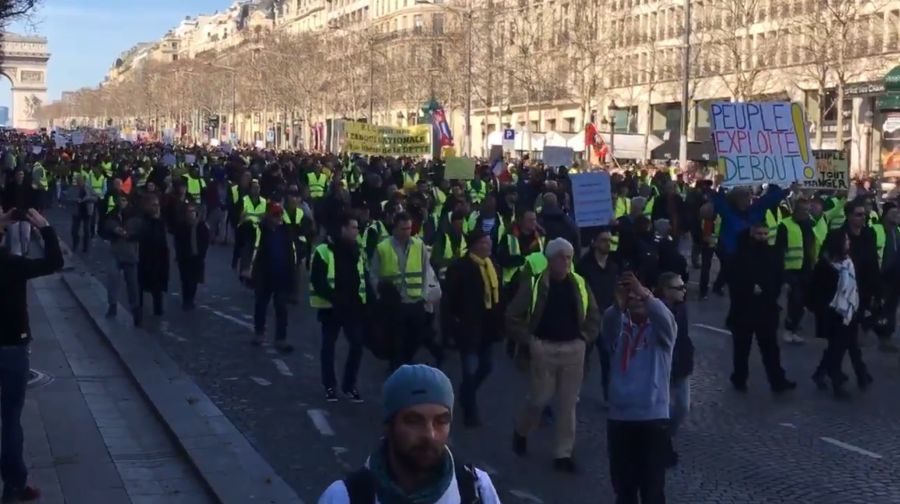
x: 796, y: 242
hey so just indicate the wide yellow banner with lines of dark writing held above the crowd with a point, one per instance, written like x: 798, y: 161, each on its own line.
x: 371, y: 140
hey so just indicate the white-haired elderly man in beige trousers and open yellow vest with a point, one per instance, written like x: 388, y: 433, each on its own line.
x: 554, y: 317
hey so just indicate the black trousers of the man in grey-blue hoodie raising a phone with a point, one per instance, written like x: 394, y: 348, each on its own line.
x: 637, y: 460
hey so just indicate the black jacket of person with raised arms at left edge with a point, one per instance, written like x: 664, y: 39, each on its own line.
x: 15, y: 271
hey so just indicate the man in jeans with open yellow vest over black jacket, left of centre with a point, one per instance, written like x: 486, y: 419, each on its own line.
x: 338, y: 283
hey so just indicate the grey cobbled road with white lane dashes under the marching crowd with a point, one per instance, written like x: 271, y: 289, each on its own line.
x: 735, y: 448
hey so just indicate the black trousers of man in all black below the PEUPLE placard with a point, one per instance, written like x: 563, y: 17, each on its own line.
x: 764, y: 326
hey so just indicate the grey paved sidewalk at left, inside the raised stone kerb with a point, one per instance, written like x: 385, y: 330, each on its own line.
x: 90, y: 436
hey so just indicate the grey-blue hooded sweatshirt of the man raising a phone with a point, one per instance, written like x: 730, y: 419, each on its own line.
x: 640, y: 362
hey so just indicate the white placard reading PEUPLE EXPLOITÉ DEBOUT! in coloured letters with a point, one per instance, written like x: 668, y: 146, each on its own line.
x: 762, y: 143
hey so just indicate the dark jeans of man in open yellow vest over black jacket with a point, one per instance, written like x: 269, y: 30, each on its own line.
x: 332, y: 322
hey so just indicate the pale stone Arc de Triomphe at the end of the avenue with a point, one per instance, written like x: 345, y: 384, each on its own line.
x: 23, y: 60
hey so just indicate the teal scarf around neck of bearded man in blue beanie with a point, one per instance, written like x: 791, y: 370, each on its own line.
x: 389, y: 492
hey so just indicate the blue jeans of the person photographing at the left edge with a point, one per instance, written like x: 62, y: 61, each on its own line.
x: 13, y: 379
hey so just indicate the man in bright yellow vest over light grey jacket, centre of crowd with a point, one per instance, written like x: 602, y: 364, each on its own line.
x: 398, y: 269
